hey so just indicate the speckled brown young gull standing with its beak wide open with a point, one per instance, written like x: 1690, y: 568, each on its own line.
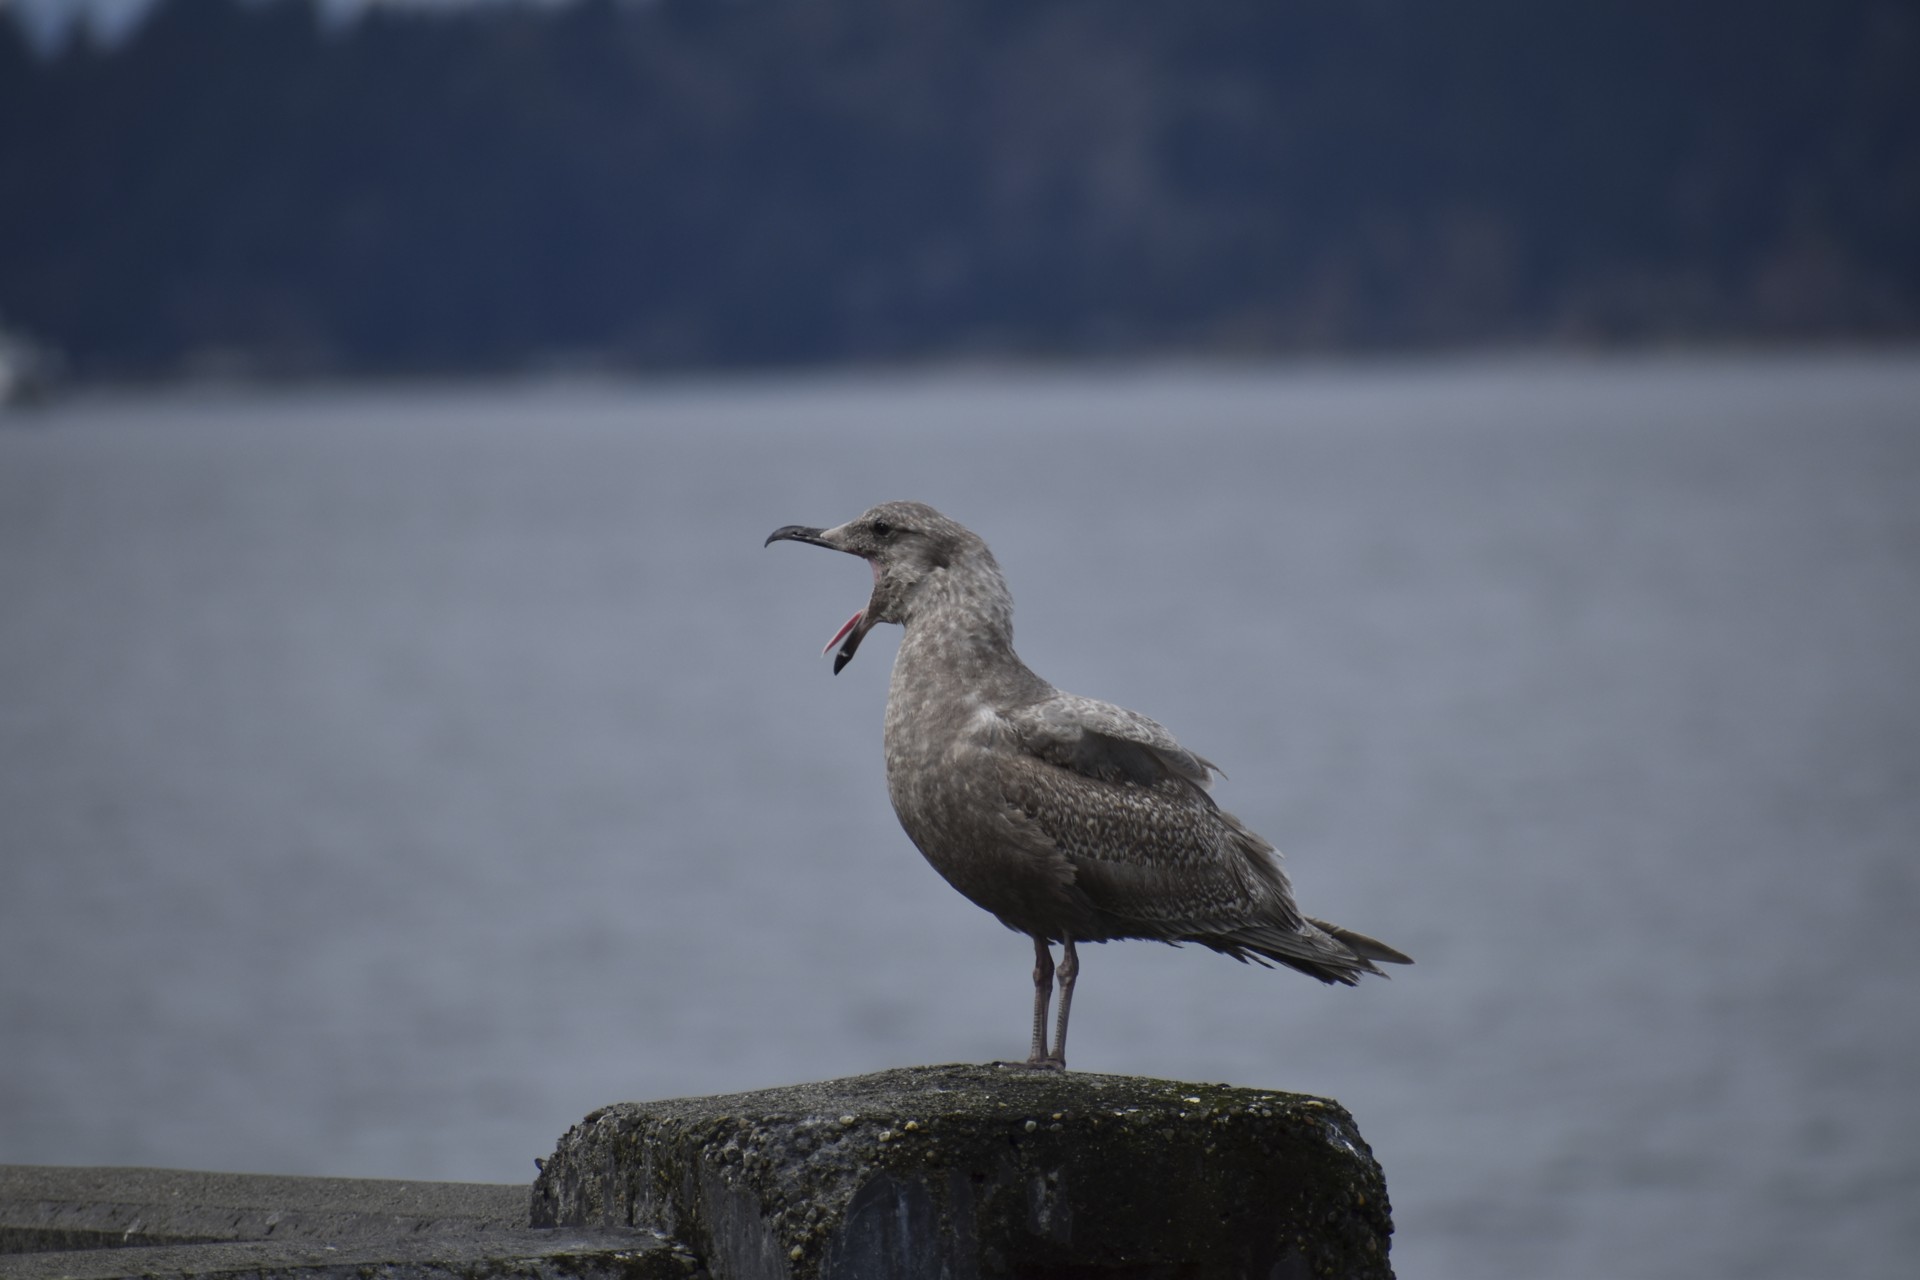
x: 1068, y: 818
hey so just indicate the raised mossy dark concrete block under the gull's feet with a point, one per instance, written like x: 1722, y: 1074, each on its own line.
x: 955, y: 1173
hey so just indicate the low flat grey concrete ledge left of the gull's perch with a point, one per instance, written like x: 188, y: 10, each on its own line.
x: 112, y: 1223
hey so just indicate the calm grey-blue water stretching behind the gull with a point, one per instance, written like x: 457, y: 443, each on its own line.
x: 389, y: 778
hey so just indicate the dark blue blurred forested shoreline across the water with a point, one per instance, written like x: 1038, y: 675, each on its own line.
x: 683, y: 183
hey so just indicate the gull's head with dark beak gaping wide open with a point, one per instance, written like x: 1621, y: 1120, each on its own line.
x: 909, y: 546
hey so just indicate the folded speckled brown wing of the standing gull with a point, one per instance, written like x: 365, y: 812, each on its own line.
x: 1126, y: 803
